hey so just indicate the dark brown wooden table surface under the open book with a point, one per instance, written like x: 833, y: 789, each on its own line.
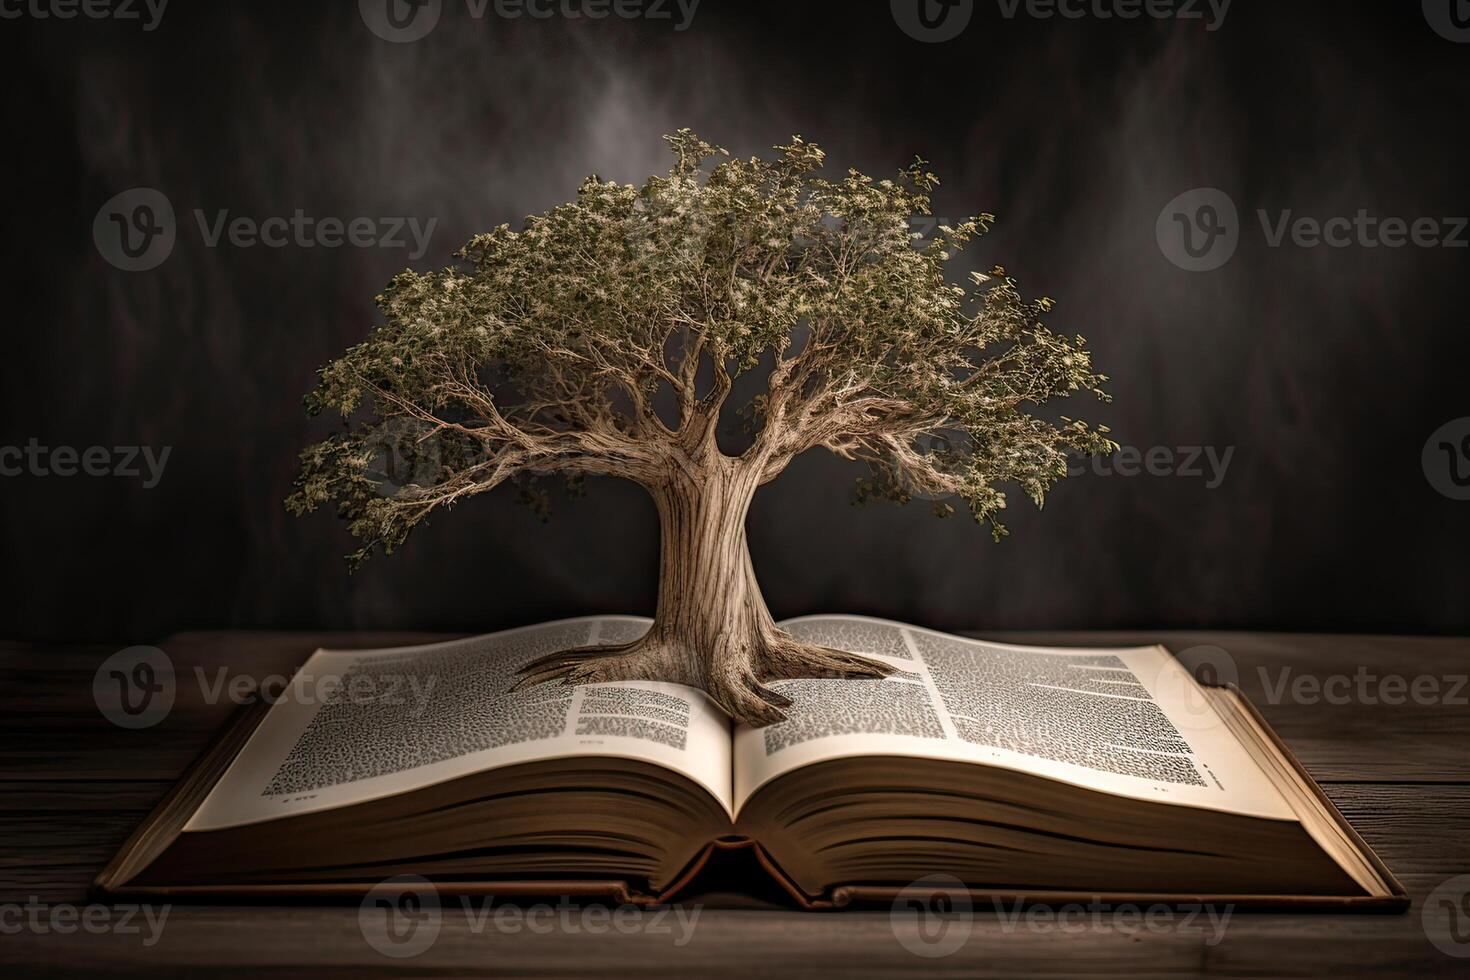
x: 73, y: 787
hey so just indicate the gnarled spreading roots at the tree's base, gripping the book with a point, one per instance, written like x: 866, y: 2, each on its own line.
x: 734, y: 677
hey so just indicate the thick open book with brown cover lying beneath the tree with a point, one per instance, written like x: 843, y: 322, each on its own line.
x: 1018, y: 771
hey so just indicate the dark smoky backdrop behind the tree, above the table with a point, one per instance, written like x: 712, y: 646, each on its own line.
x: 1327, y: 370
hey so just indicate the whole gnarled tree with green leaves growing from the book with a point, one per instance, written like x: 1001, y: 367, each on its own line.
x: 605, y: 337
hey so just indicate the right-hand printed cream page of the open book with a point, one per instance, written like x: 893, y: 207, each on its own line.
x: 1127, y: 722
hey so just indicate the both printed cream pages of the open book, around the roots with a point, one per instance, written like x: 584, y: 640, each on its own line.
x: 440, y: 712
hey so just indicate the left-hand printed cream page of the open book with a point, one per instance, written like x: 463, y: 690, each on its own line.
x: 361, y: 725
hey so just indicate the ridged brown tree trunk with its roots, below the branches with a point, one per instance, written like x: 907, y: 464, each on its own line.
x: 712, y: 628
